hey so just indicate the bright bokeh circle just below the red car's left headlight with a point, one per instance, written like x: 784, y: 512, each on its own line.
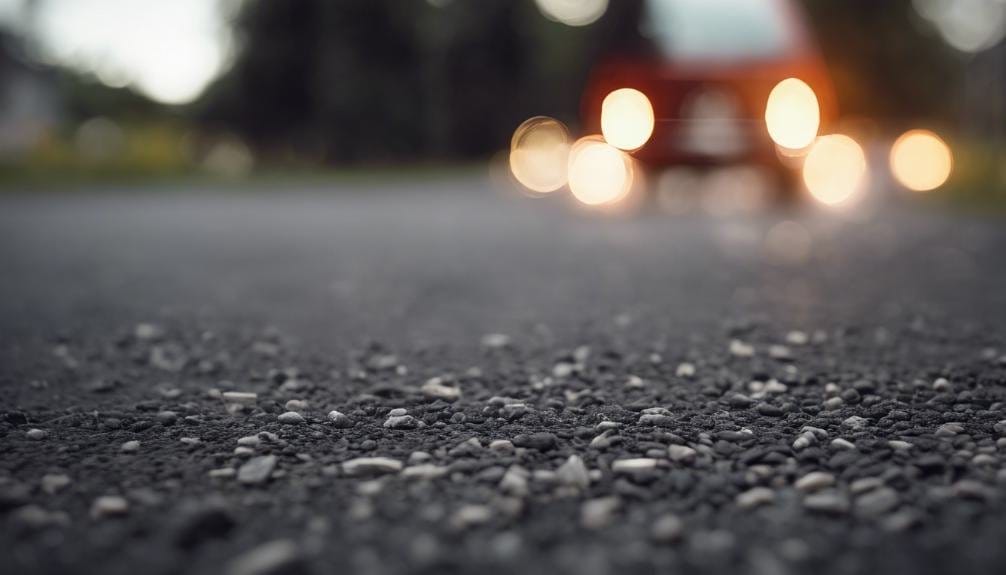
x: 599, y: 172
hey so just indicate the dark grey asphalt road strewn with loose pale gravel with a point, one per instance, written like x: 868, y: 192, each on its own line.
x: 445, y: 378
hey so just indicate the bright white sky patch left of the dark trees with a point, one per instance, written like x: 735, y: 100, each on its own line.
x: 167, y: 50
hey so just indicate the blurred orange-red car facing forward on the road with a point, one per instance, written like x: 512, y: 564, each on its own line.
x: 708, y: 68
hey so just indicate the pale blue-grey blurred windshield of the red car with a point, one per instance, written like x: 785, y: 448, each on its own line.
x: 718, y: 29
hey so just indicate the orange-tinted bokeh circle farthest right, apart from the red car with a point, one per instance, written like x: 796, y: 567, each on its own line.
x: 921, y: 161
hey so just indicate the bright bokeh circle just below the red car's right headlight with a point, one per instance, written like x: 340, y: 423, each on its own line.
x: 835, y: 169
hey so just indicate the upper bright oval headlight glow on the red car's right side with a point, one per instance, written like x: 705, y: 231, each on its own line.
x: 793, y: 115
